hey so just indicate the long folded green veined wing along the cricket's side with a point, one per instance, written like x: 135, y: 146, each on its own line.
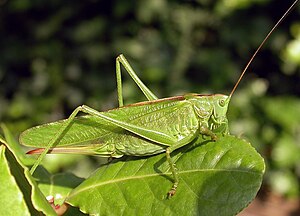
x: 173, y: 117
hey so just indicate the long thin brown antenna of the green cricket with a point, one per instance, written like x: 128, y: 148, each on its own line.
x: 260, y: 46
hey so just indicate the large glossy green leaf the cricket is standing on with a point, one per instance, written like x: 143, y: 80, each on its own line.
x: 216, y: 178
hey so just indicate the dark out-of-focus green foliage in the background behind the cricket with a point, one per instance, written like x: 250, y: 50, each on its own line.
x: 56, y: 55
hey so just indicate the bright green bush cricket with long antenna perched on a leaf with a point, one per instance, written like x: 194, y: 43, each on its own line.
x: 141, y: 129
